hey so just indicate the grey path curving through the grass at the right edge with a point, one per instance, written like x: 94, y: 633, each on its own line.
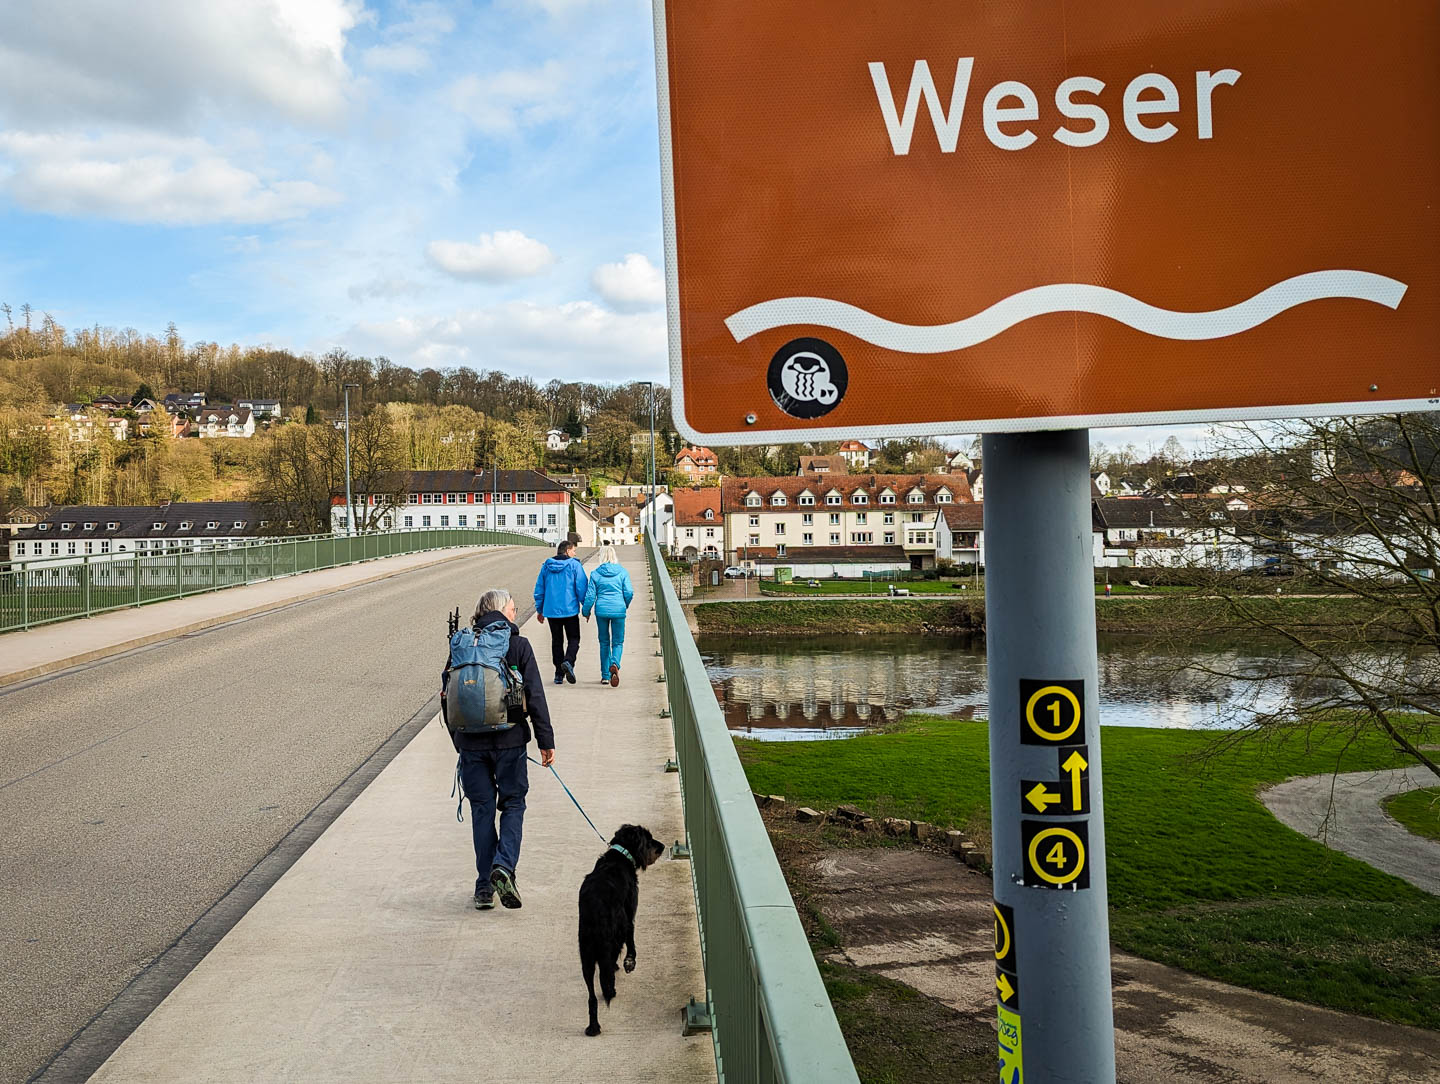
x: 1356, y: 823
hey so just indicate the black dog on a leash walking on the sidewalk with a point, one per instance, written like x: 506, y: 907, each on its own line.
x: 608, y: 900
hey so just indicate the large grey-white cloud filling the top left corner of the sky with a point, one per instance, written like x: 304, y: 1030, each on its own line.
x: 166, y: 63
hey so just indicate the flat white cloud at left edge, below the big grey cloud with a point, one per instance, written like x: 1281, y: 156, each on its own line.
x: 146, y: 179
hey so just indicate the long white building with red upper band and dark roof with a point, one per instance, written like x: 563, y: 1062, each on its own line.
x: 519, y: 502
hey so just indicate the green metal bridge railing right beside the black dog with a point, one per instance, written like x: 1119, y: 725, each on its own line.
x: 774, y: 1023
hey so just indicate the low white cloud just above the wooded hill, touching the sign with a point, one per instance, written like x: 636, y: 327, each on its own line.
x: 578, y: 339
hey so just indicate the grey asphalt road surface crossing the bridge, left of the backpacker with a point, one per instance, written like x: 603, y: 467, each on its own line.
x: 136, y: 792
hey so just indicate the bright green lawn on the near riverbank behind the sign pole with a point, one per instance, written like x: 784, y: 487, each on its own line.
x: 1202, y: 876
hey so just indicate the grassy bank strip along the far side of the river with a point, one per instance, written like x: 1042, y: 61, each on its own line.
x: 1173, y: 614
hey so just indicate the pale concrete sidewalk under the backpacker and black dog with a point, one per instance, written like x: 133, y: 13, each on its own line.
x: 368, y: 962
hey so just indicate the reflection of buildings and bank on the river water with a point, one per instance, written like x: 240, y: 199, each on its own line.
x: 840, y: 686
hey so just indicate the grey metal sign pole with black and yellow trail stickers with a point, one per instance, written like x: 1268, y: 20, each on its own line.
x: 1052, y: 925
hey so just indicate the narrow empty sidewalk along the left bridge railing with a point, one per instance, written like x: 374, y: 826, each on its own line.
x: 47, y: 649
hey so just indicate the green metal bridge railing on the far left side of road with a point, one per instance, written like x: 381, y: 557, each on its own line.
x: 45, y: 591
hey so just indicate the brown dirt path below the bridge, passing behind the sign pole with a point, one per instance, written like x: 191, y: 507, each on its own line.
x: 922, y: 919
